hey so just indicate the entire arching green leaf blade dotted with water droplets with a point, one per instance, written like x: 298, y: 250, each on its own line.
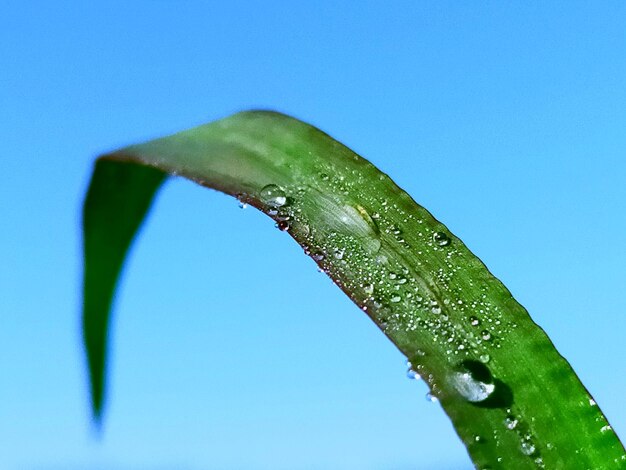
x: 514, y: 401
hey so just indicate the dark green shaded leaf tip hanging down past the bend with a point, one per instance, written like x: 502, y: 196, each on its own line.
x: 118, y: 199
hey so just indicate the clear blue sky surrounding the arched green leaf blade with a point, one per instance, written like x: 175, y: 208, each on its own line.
x: 505, y: 119
